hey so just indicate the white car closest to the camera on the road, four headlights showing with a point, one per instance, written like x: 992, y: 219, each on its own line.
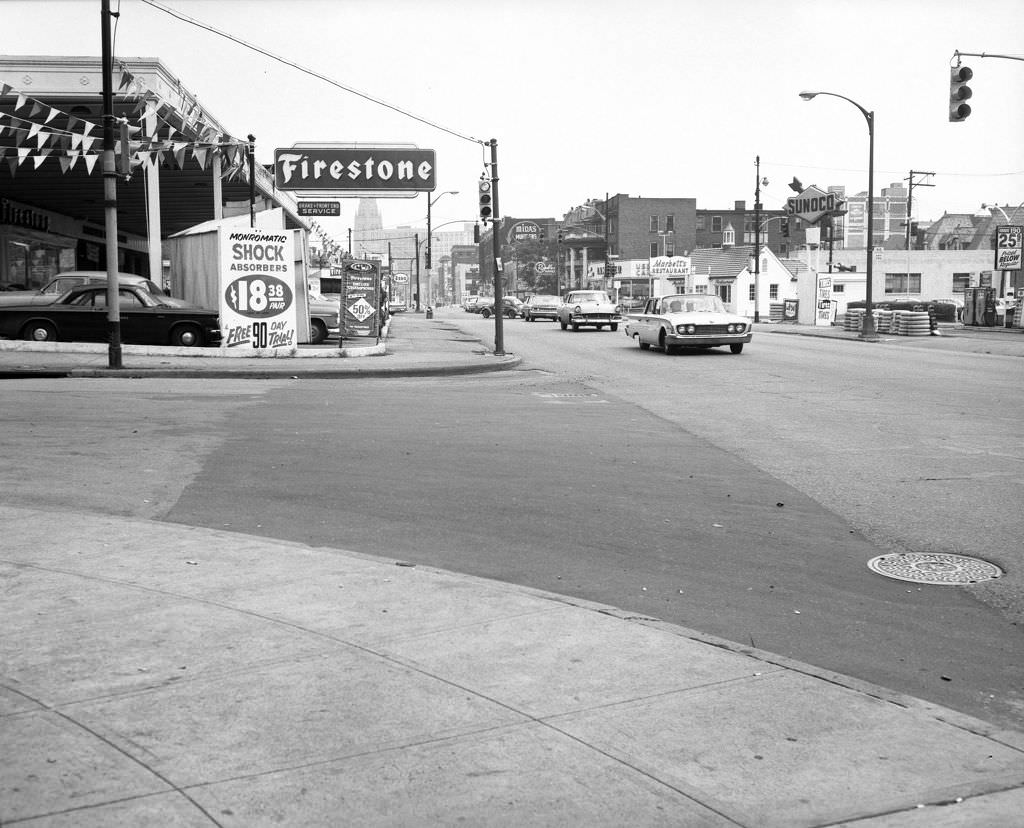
x: 689, y: 321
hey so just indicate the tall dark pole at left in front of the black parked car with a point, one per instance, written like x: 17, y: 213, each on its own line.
x: 110, y: 194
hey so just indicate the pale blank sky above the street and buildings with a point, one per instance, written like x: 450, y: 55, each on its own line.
x: 665, y: 99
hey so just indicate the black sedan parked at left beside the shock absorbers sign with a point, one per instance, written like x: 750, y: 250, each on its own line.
x: 80, y: 316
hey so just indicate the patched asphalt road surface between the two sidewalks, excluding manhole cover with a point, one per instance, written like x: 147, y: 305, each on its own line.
x: 740, y: 496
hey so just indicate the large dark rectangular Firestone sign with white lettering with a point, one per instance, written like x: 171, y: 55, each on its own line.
x: 382, y: 169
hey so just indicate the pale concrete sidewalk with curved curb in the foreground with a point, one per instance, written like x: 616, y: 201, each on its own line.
x: 161, y: 675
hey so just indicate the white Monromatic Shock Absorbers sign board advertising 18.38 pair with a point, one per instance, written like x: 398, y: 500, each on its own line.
x: 258, y: 292
